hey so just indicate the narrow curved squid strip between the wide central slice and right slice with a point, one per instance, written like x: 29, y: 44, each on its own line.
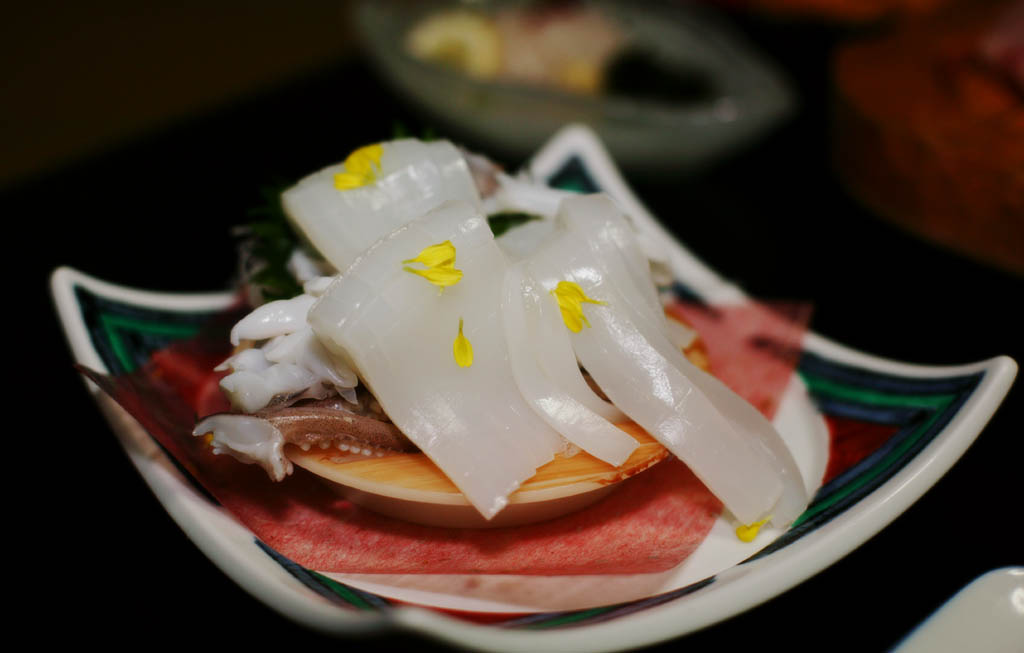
x: 578, y: 423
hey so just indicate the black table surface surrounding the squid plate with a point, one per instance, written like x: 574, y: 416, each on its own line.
x: 106, y: 563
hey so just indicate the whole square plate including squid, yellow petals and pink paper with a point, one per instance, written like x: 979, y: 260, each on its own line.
x: 592, y: 325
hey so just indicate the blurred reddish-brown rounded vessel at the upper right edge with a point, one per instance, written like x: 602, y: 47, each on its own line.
x: 929, y: 129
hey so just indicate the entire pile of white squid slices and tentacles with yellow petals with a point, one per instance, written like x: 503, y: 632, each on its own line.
x: 418, y: 330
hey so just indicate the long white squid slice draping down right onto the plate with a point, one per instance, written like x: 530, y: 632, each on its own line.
x: 625, y: 346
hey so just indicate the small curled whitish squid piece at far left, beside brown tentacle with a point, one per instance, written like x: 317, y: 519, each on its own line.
x: 247, y: 440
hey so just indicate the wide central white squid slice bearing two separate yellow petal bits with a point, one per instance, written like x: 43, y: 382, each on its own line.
x: 400, y: 331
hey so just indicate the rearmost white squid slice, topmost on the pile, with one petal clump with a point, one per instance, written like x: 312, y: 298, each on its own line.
x: 414, y: 179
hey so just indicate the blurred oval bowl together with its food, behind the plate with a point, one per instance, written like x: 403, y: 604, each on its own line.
x: 667, y: 89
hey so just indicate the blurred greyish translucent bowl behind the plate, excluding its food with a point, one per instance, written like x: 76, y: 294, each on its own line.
x: 749, y: 97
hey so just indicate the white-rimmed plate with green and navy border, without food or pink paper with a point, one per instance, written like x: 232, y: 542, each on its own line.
x: 918, y: 420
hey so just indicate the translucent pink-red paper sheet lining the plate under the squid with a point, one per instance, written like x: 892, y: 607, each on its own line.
x: 652, y: 524
